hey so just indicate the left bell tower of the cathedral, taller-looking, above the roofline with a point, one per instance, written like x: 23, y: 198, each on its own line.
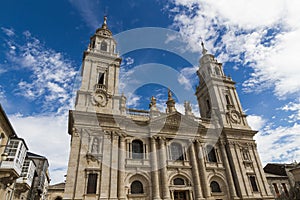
x: 99, y: 90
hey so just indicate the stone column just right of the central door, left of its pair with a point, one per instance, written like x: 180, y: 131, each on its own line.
x: 195, y: 172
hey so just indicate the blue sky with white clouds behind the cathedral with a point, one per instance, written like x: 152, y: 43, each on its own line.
x: 258, y: 42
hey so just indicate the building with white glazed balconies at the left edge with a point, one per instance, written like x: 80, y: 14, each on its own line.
x: 17, y: 168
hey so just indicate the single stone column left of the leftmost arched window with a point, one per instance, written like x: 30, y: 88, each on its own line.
x: 121, y: 178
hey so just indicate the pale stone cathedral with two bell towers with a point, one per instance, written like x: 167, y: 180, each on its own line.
x: 122, y: 153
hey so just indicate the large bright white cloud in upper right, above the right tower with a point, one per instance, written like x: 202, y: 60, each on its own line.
x: 261, y: 34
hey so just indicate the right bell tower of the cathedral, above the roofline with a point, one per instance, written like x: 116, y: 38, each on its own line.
x: 216, y: 94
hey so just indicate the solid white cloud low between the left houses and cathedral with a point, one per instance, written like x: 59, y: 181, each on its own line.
x: 46, y: 136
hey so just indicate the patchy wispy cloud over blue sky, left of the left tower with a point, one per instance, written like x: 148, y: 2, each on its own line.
x: 52, y: 75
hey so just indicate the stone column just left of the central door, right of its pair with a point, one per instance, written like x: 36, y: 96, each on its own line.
x: 163, y: 168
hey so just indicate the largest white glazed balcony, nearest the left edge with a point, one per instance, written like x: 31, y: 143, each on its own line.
x: 11, y: 165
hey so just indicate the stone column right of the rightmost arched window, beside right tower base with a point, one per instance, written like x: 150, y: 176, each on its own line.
x: 228, y: 171
